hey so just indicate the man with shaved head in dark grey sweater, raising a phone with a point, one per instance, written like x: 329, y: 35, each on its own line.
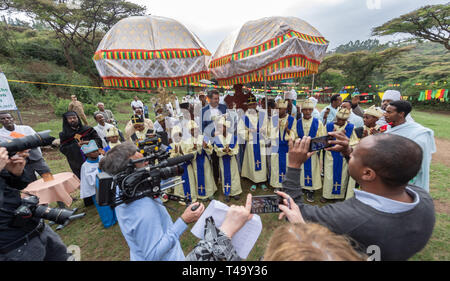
x: 387, y: 212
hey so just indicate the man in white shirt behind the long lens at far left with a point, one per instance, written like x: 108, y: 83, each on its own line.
x: 10, y: 131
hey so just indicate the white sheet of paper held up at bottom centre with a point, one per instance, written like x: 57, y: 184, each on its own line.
x: 243, y: 241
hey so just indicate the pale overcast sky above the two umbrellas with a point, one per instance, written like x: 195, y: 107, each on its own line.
x: 339, y: 21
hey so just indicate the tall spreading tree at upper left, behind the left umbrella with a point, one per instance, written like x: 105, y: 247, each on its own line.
x: 80, y: 26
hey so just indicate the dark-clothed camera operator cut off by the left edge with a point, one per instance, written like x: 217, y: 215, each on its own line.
x: 33, y: 240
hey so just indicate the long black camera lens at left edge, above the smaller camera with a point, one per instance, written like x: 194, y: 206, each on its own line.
x: 28, y: 142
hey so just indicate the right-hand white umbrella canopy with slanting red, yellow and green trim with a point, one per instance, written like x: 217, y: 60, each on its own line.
x: 275, y: 47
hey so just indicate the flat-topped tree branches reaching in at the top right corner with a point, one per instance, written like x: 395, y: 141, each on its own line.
x: 429, y: 22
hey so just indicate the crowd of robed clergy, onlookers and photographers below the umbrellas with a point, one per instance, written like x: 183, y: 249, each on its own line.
x: 382, y: 201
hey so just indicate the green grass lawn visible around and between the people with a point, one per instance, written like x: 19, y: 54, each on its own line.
x: 97, y: 243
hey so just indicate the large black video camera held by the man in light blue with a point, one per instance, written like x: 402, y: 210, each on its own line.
x: 136, y: 183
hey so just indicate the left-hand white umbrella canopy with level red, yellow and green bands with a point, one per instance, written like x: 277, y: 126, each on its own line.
x: 150, y: 52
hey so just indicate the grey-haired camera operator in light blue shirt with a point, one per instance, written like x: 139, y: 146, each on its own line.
x: 145, y: 223
